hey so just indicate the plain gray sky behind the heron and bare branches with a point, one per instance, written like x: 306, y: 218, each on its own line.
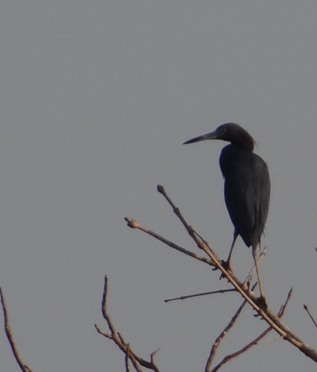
x: 96, y: 99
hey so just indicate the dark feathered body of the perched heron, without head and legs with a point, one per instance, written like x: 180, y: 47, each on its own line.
x: 247, y: 192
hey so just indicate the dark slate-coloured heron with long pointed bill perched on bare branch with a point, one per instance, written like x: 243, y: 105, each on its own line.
x: 247, y: 186
